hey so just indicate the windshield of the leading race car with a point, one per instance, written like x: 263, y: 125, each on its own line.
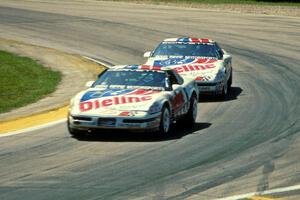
x: 132, y: 79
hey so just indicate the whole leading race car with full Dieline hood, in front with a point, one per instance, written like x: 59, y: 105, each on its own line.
x: 134, y: 97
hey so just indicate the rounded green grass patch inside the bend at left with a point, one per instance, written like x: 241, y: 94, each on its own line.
x: 23, y: 81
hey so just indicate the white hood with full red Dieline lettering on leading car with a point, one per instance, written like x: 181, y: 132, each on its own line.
x: 114, y: 102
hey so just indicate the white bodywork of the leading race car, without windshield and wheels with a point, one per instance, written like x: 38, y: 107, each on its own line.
x: 134, y: 108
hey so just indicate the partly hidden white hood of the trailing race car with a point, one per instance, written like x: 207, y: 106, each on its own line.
x: 199, y: 68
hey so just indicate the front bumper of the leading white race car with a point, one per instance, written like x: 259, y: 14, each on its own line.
x: 126, y: 123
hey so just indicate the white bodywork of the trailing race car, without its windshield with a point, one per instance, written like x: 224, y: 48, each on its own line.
x: 212, y: 74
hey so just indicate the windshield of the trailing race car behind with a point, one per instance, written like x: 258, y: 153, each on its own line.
x: 185, y: 49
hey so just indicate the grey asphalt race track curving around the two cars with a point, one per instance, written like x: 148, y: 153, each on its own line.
x: 247, y: 143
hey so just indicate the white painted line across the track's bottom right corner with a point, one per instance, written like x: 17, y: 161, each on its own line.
x: 267, y: 192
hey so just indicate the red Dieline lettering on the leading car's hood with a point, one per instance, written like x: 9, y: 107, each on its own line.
x: 100, y: 103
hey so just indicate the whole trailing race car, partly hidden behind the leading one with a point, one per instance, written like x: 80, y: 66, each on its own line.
x: 201, y: 59
